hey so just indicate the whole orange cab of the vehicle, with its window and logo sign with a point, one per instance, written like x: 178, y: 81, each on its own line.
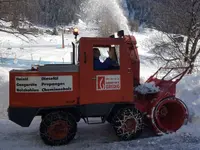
x: 105, y: 71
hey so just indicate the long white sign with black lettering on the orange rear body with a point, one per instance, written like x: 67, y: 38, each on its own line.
x: 34, y: 84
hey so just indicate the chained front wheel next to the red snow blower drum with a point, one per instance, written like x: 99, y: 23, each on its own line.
x: 128, y: 123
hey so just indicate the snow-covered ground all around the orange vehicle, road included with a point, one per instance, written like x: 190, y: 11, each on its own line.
x: 45, y: 49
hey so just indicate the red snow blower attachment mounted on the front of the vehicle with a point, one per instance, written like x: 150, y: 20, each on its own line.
x: 165, y: 112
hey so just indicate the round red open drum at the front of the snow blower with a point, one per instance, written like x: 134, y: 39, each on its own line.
x: 169, y: 115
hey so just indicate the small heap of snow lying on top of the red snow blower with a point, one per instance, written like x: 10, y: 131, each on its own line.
x: 147, y: 88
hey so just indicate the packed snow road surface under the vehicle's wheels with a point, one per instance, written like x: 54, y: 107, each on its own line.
x: 93, y: 137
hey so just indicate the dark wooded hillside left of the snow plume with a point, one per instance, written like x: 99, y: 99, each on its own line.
x: 44, y: 12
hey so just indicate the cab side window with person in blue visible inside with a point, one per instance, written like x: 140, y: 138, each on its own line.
x: 106, y: 57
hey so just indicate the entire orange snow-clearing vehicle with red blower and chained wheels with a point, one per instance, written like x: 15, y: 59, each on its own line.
x: 63, y: 94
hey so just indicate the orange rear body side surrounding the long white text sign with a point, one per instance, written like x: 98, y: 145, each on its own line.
x: 49, y: 99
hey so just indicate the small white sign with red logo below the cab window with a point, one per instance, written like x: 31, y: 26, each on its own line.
x: 108, y: 82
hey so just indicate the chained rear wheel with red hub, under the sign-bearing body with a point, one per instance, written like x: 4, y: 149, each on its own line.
x: 58, y: 128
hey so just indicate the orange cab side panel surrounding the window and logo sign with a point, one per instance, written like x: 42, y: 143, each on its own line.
x: 88, y: 77
